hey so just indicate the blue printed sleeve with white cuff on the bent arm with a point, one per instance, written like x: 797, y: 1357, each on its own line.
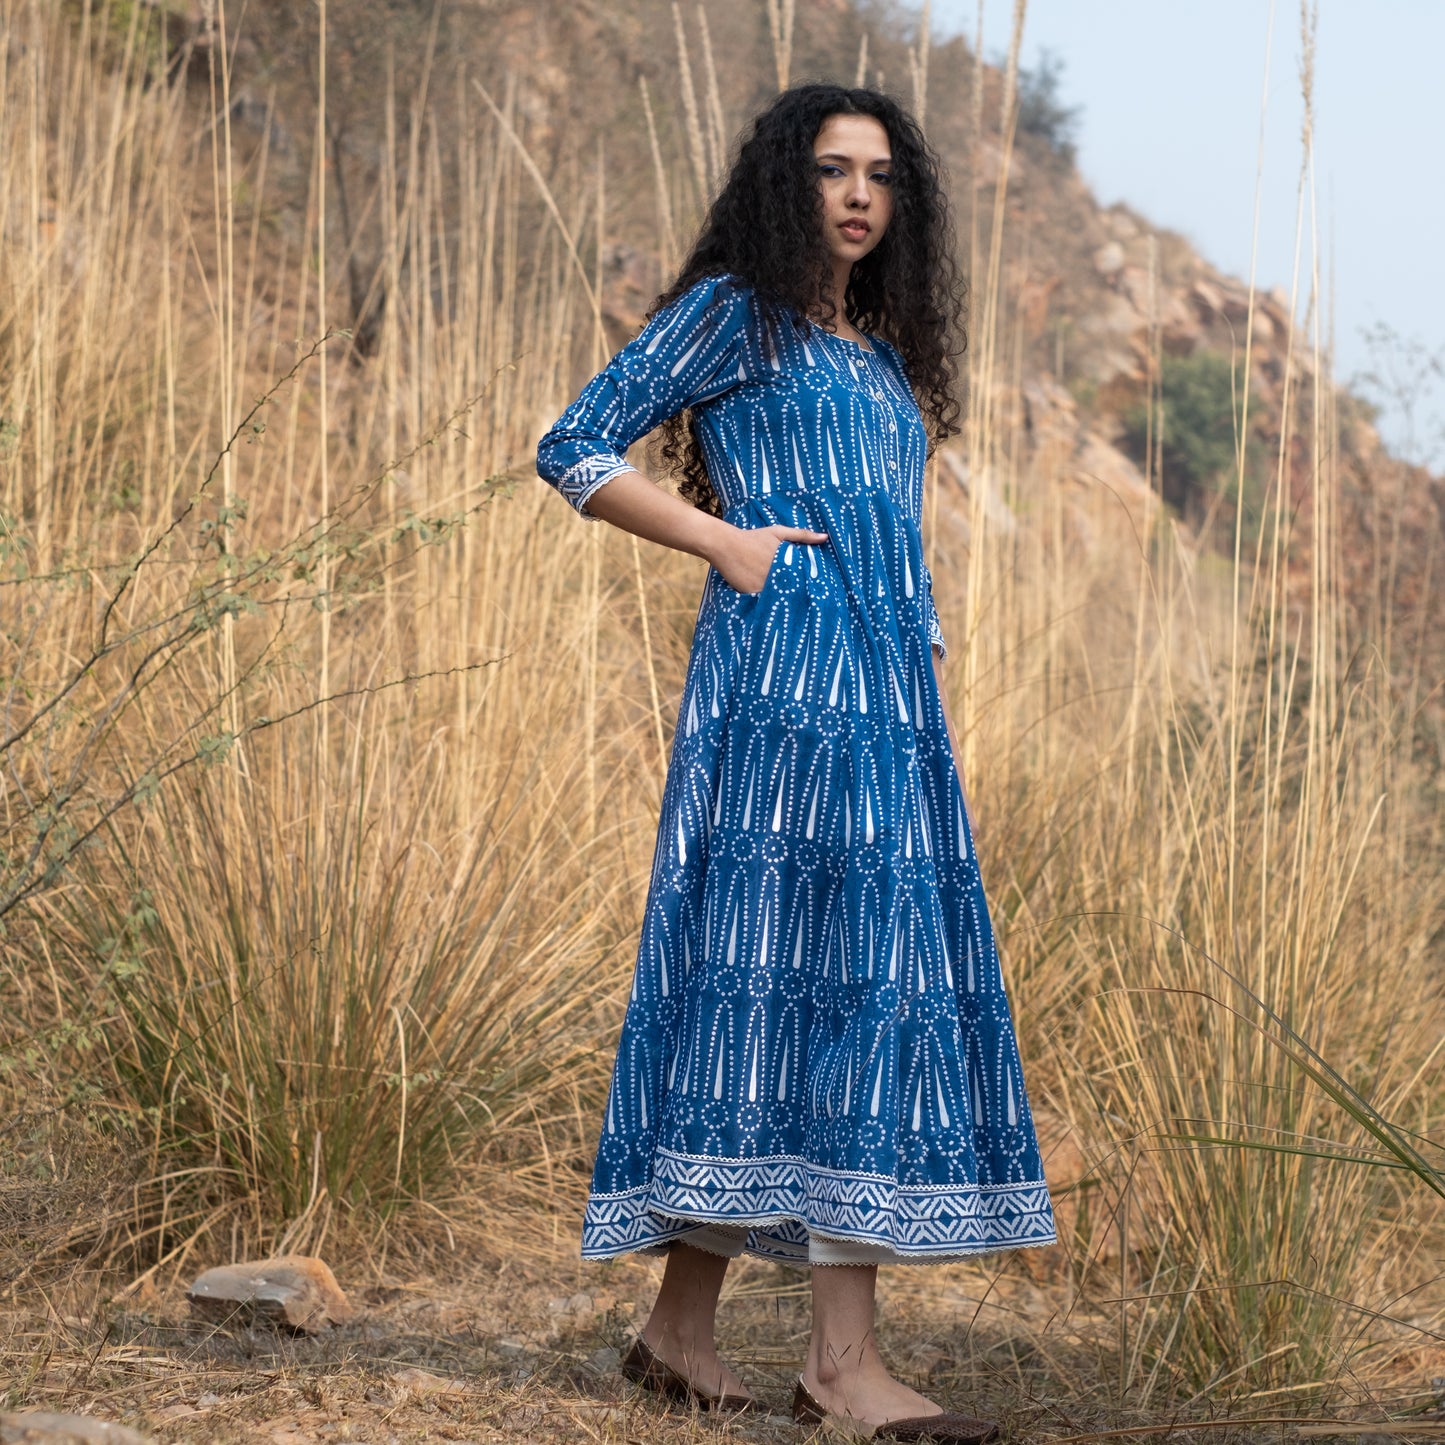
x: 691, y: 352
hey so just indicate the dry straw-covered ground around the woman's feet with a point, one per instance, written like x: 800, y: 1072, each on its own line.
x: 521, y: 1352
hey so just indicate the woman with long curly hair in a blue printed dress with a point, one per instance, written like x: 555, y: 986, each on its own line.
x: 817, y: 1063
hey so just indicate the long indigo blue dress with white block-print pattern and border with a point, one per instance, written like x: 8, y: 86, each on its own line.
x: 819, y: 1040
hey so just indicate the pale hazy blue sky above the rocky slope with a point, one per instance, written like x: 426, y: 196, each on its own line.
x: 1173, y: 95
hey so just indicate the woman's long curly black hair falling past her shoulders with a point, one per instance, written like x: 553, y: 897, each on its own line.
x: 907, y: 290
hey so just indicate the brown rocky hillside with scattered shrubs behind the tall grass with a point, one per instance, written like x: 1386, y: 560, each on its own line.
x: 1106, y: 324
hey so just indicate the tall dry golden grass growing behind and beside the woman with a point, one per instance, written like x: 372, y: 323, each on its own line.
x: 332, y: 745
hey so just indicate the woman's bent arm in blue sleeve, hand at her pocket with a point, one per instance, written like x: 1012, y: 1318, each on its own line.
x: 690, y: 352
